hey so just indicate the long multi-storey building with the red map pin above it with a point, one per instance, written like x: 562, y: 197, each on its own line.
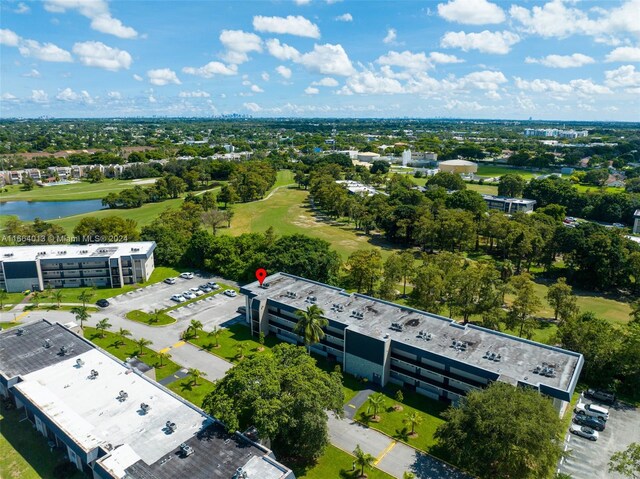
x: 385, y: 342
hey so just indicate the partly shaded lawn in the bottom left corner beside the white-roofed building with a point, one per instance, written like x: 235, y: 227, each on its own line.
x: 24, y: 453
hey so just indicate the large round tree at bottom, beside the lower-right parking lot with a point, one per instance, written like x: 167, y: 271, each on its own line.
x: 503, y: 431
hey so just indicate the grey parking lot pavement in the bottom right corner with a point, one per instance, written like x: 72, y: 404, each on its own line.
x: 589, y: 460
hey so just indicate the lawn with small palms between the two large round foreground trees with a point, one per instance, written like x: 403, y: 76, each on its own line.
x: 391, y: 421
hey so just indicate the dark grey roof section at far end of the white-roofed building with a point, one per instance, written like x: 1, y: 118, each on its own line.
x: 22, y: 349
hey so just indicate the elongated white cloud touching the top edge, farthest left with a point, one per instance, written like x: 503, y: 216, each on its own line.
x: 95, y: 10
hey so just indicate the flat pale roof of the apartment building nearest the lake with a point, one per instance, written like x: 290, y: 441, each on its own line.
x: 73, y: 251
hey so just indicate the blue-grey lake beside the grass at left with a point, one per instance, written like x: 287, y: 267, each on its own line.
x: 48, y: 210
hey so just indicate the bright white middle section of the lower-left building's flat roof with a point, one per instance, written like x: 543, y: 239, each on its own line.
x: 89, y: 410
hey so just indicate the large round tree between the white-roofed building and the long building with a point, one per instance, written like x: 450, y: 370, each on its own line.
x: 285, y: 396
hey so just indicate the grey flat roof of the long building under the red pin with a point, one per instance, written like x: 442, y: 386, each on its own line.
x: 519, y: 356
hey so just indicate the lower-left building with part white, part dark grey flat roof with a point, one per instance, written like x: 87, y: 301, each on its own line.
x: 113, y: 422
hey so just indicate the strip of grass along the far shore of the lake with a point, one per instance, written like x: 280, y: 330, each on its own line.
x: 76, y: 191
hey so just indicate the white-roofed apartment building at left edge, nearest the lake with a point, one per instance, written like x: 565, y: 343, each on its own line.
x: 68, y: 266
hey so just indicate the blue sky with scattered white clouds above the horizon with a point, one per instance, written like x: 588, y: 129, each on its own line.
x: 548, y: 60
